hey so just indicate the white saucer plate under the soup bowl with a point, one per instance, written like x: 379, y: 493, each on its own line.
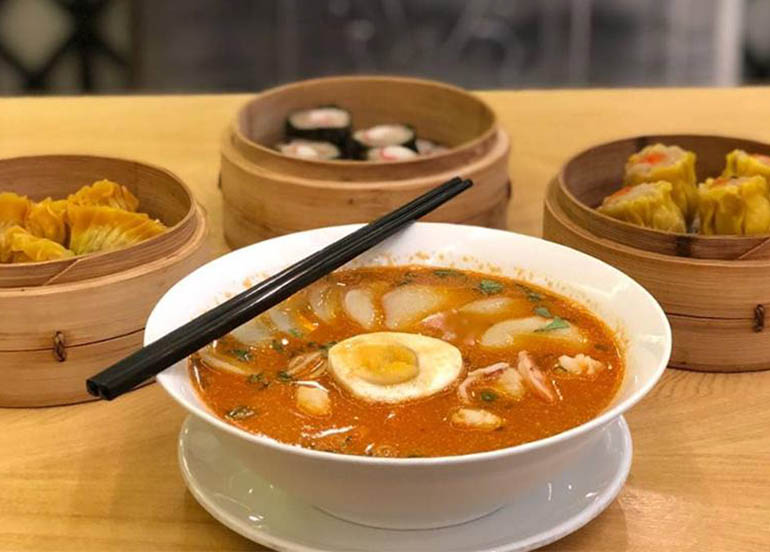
x: 263, y: 513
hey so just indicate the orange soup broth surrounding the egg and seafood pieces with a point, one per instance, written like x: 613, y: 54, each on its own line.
x: 421, y: 427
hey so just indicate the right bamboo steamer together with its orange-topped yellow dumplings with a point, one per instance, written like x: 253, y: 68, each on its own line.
x: 688, y: 216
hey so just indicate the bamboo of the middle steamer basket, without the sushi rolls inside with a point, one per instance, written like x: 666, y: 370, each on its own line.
x: 267, y: 193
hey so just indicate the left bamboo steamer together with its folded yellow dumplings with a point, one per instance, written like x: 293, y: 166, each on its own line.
x: 87, y: 246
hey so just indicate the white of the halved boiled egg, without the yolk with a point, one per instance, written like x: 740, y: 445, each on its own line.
x: 439, y: 365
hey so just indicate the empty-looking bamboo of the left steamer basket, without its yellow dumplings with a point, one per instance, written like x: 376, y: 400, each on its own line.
x: 64, y: 320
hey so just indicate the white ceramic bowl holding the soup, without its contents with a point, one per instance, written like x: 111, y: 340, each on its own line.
x: 425, y: 492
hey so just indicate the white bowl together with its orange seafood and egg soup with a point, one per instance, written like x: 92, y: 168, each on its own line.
x: 431, y: 381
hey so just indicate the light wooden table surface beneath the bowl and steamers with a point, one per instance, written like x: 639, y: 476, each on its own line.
x: 104, y: 476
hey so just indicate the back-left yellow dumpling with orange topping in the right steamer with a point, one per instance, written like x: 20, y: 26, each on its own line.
x: 669, y: 163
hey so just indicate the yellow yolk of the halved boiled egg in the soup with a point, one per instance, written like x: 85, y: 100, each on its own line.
x: 385, y: 364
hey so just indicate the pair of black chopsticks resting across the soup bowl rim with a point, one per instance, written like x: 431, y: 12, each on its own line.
x: 185, y: 340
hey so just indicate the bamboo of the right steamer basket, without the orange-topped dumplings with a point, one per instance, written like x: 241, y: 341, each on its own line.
x: 714, y: 289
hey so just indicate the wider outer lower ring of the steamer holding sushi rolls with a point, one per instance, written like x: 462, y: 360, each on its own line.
x: 298, y: 204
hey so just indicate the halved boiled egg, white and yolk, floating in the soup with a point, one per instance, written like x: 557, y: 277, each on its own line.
x: 393, y: 367
